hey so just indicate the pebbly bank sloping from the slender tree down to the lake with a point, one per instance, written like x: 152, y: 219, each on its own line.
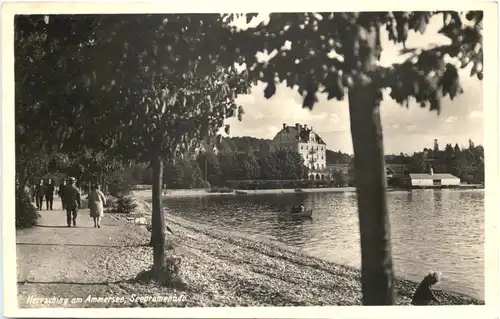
x: 223, y: 269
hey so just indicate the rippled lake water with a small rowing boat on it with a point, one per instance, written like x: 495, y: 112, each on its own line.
x: 439, y: 230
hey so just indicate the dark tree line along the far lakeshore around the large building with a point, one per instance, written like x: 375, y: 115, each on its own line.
x: 251, y: 161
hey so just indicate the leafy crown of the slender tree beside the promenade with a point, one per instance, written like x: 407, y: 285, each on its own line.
x: 166, y: 95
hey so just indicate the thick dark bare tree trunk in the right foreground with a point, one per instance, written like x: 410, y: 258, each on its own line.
x: 376, y: 260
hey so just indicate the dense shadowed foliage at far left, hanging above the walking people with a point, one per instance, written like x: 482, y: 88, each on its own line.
x: 54, y: 108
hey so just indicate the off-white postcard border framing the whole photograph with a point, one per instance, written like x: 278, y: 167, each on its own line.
x: 490, y: 85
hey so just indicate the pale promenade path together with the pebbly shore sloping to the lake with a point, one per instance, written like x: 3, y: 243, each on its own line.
x: 219, y: 269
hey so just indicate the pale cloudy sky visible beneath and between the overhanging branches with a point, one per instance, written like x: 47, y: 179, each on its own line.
x: 406, y: 130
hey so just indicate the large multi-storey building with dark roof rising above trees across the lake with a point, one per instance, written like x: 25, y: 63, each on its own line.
x: 307, y: 143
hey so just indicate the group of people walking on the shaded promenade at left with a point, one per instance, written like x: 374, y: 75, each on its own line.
x: 71, y: 199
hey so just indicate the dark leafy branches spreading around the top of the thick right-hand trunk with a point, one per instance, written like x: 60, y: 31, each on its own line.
x: 355, y: 37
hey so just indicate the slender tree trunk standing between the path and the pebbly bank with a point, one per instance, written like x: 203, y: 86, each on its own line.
x: 158, y: 219
